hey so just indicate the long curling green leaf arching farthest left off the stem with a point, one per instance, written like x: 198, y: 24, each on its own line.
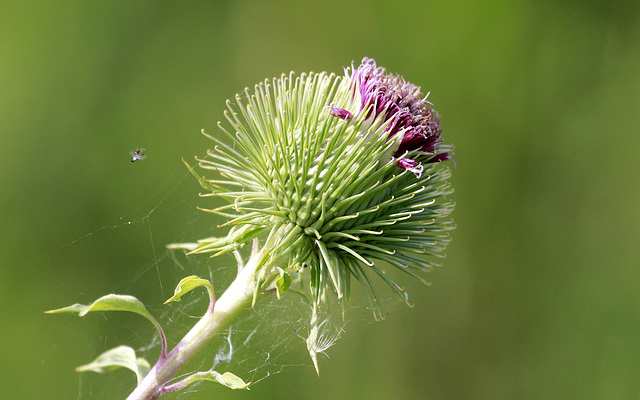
x: 114, y: 302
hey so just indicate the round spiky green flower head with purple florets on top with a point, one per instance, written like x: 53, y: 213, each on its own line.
x: 333, y: 173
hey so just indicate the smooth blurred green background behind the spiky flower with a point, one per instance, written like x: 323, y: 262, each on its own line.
x: 538, y: 297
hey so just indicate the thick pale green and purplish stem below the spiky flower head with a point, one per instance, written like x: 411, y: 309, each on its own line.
x: 233, y: 300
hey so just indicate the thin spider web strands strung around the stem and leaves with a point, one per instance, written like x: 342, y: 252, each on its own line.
x: 264, y: 341
